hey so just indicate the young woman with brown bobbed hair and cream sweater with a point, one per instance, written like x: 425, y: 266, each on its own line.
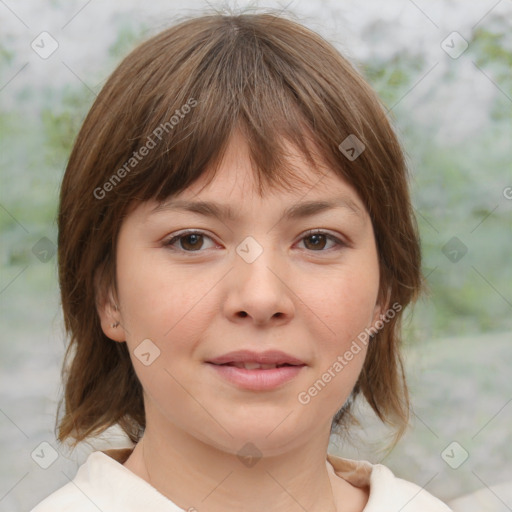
x: 236, y: 248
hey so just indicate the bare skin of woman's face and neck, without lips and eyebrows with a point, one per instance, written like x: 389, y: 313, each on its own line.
x: 206, y: 302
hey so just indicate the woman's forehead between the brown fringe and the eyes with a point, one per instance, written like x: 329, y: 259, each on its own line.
x: 231, y: 194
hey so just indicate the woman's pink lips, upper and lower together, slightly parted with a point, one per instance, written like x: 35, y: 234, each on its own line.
x: 257, y: 379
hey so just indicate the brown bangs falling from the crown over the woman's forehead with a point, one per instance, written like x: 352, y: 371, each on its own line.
x: 233, y: 78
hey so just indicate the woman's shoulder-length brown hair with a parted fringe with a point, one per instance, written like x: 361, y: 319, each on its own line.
x: 276, y: 81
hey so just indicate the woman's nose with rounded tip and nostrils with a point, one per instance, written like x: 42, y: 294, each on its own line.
x: 260, y: 291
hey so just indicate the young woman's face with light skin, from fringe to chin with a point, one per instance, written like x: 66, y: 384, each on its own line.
x: 194, y: 287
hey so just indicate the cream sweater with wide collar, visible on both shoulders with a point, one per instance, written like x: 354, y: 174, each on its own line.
x: 103, y: 484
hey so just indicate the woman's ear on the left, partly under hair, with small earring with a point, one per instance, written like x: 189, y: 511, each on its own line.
x: 110, y: 315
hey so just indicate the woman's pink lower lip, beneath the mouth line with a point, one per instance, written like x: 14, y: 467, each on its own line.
x: 257, y: 380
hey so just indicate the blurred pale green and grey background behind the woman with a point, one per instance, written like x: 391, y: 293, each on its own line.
x: 443, y: 70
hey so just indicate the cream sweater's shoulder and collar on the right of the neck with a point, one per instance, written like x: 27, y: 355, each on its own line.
x: 386, y: 491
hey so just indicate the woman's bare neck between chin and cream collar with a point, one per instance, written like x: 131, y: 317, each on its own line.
x: 198, y: 476
